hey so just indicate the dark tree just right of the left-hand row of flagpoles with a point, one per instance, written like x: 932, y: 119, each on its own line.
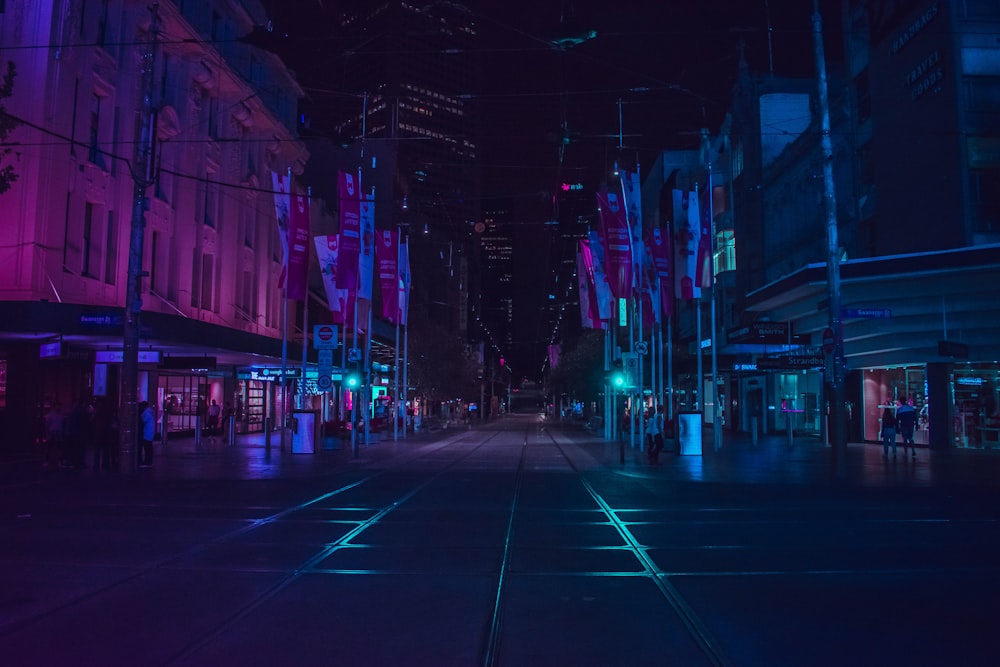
x: 441, y: 365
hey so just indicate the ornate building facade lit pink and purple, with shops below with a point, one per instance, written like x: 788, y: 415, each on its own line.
x: 211, y: 309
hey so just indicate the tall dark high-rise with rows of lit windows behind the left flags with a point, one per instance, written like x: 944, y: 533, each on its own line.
x: 409, y: 75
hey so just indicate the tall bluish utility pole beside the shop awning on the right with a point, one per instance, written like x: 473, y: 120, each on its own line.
x: 837, y: 427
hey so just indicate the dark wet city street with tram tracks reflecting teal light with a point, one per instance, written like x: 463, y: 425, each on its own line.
x: 522, y: 542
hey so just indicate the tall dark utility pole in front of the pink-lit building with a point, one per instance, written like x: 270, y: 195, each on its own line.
x: 142, y: 177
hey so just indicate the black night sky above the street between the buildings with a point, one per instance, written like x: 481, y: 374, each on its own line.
x: 672, y: 64
